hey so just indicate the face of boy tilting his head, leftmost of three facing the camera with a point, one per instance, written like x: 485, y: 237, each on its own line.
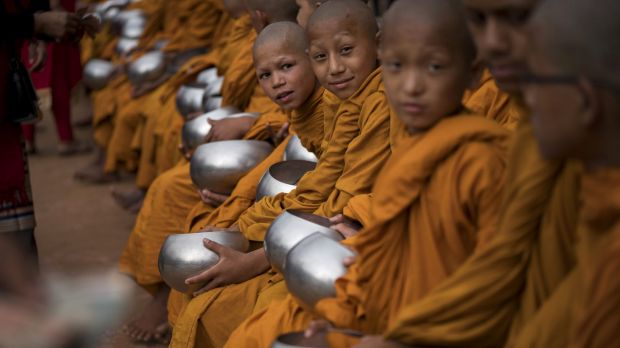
x: 285, y: 75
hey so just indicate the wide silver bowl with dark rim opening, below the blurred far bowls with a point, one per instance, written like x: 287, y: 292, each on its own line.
x: 219, y: 165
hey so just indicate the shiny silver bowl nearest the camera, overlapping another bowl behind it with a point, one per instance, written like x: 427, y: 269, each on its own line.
x: 312, y: 267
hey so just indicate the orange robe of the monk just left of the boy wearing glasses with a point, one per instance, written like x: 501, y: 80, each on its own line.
x: 476, y: 305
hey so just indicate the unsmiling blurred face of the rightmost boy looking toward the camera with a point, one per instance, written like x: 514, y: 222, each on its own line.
x: 424, y: 71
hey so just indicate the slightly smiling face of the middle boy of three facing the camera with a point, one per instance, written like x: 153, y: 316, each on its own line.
x: 342, y: 55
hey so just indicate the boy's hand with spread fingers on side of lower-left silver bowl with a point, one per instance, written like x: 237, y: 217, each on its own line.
x: 233, y: 267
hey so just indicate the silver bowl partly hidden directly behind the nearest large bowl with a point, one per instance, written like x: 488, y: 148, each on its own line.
x: 290, y: 228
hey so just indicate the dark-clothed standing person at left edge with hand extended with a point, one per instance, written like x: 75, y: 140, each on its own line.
x: 21, y: 20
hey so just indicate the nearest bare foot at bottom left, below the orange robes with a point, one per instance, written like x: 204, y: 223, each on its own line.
x: 152, y: 324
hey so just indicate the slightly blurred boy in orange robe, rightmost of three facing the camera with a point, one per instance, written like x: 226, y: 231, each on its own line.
x: 435, y: 201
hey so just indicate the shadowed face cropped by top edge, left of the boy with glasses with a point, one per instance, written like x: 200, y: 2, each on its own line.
x: 497, y: 27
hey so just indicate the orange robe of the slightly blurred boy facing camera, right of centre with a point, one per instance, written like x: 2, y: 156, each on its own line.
x: 435, y: 202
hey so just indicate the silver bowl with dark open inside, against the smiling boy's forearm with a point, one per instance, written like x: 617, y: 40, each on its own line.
x: 282, y: 177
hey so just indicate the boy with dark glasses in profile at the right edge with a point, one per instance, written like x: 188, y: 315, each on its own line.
x: 575, y: 103
